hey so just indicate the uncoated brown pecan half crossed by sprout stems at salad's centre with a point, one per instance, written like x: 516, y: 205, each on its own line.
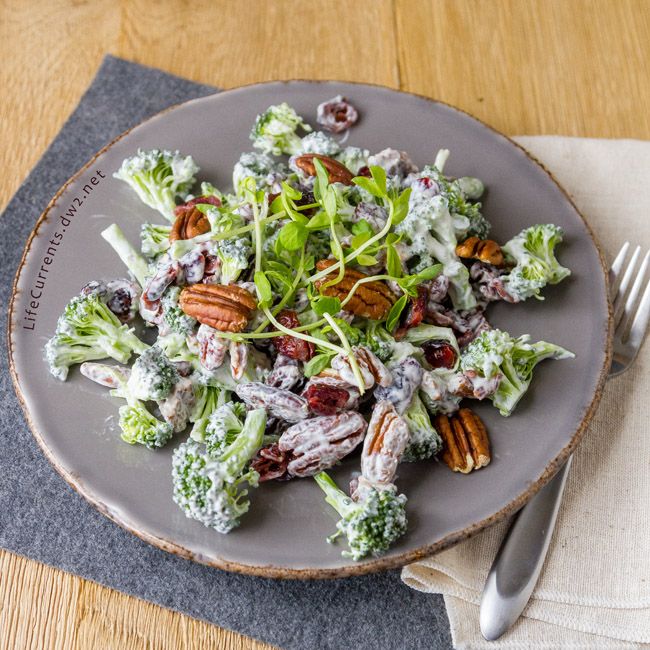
x: 371, y: 300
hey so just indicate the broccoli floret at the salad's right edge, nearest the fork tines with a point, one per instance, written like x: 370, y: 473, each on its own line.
x: 536, y: 266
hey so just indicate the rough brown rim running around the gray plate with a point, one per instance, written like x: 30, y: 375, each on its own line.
x: 373, y: 565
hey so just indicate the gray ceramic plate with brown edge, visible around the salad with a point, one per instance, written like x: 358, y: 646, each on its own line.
x: 284, y: 533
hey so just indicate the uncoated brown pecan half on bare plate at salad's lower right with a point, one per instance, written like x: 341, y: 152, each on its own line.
x: 466, y: 443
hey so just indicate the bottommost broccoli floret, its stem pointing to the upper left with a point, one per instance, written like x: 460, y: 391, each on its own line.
x: 370, y: 525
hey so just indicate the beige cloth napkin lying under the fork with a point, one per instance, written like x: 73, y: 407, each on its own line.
x: 594, y: 591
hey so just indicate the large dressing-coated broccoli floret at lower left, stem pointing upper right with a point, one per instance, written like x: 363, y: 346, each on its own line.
x: 211, y: 490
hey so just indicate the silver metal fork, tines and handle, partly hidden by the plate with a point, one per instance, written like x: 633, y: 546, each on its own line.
x: 520, y: 558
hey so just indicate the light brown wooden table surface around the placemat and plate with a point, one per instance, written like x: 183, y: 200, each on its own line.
x: 526, y: 67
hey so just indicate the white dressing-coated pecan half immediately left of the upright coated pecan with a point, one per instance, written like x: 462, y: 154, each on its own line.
x: 321, y: 442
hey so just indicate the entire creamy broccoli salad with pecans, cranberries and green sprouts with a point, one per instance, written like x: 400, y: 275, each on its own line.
x: 330, y: 300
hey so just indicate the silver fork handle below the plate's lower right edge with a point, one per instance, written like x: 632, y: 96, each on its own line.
x: 520, y: 559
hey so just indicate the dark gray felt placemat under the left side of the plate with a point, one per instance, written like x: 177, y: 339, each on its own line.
x: 42, y: 518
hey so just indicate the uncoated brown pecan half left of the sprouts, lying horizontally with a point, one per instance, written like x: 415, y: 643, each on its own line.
x: 226, y: 308
